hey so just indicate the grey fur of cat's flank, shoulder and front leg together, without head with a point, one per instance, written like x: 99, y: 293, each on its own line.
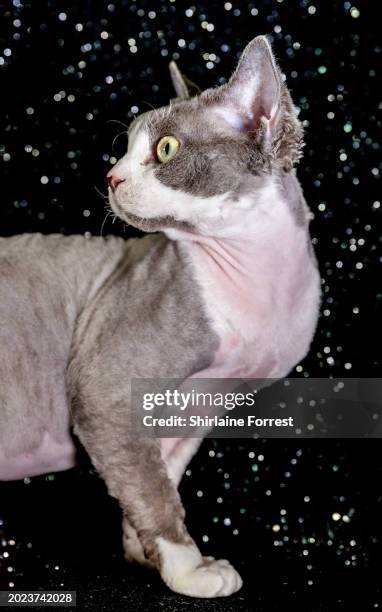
x: 103, y: 311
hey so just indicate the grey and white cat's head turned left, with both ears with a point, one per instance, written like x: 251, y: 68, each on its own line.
x: 197, y: 163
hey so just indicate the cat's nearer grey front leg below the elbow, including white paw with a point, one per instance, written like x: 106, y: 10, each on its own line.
x: 136, y: 475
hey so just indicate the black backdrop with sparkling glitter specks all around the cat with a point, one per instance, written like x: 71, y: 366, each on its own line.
x: 301, y: 521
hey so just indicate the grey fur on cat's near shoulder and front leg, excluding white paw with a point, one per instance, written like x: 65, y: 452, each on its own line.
x: 161, y: 321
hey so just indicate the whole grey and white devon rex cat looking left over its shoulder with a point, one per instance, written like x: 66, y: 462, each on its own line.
x: 229, y: 287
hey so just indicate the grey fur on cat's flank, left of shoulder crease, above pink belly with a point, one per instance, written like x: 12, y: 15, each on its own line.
x: 45, y: 281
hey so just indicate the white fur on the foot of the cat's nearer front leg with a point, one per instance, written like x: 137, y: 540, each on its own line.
x: 185, y: 571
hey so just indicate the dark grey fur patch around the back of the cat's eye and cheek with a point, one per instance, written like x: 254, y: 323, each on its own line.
x: 213, y: 158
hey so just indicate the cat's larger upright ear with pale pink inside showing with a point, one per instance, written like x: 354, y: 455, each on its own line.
x: 251, y: 99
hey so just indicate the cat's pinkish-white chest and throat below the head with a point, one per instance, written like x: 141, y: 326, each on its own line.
x: 262, y: 303
